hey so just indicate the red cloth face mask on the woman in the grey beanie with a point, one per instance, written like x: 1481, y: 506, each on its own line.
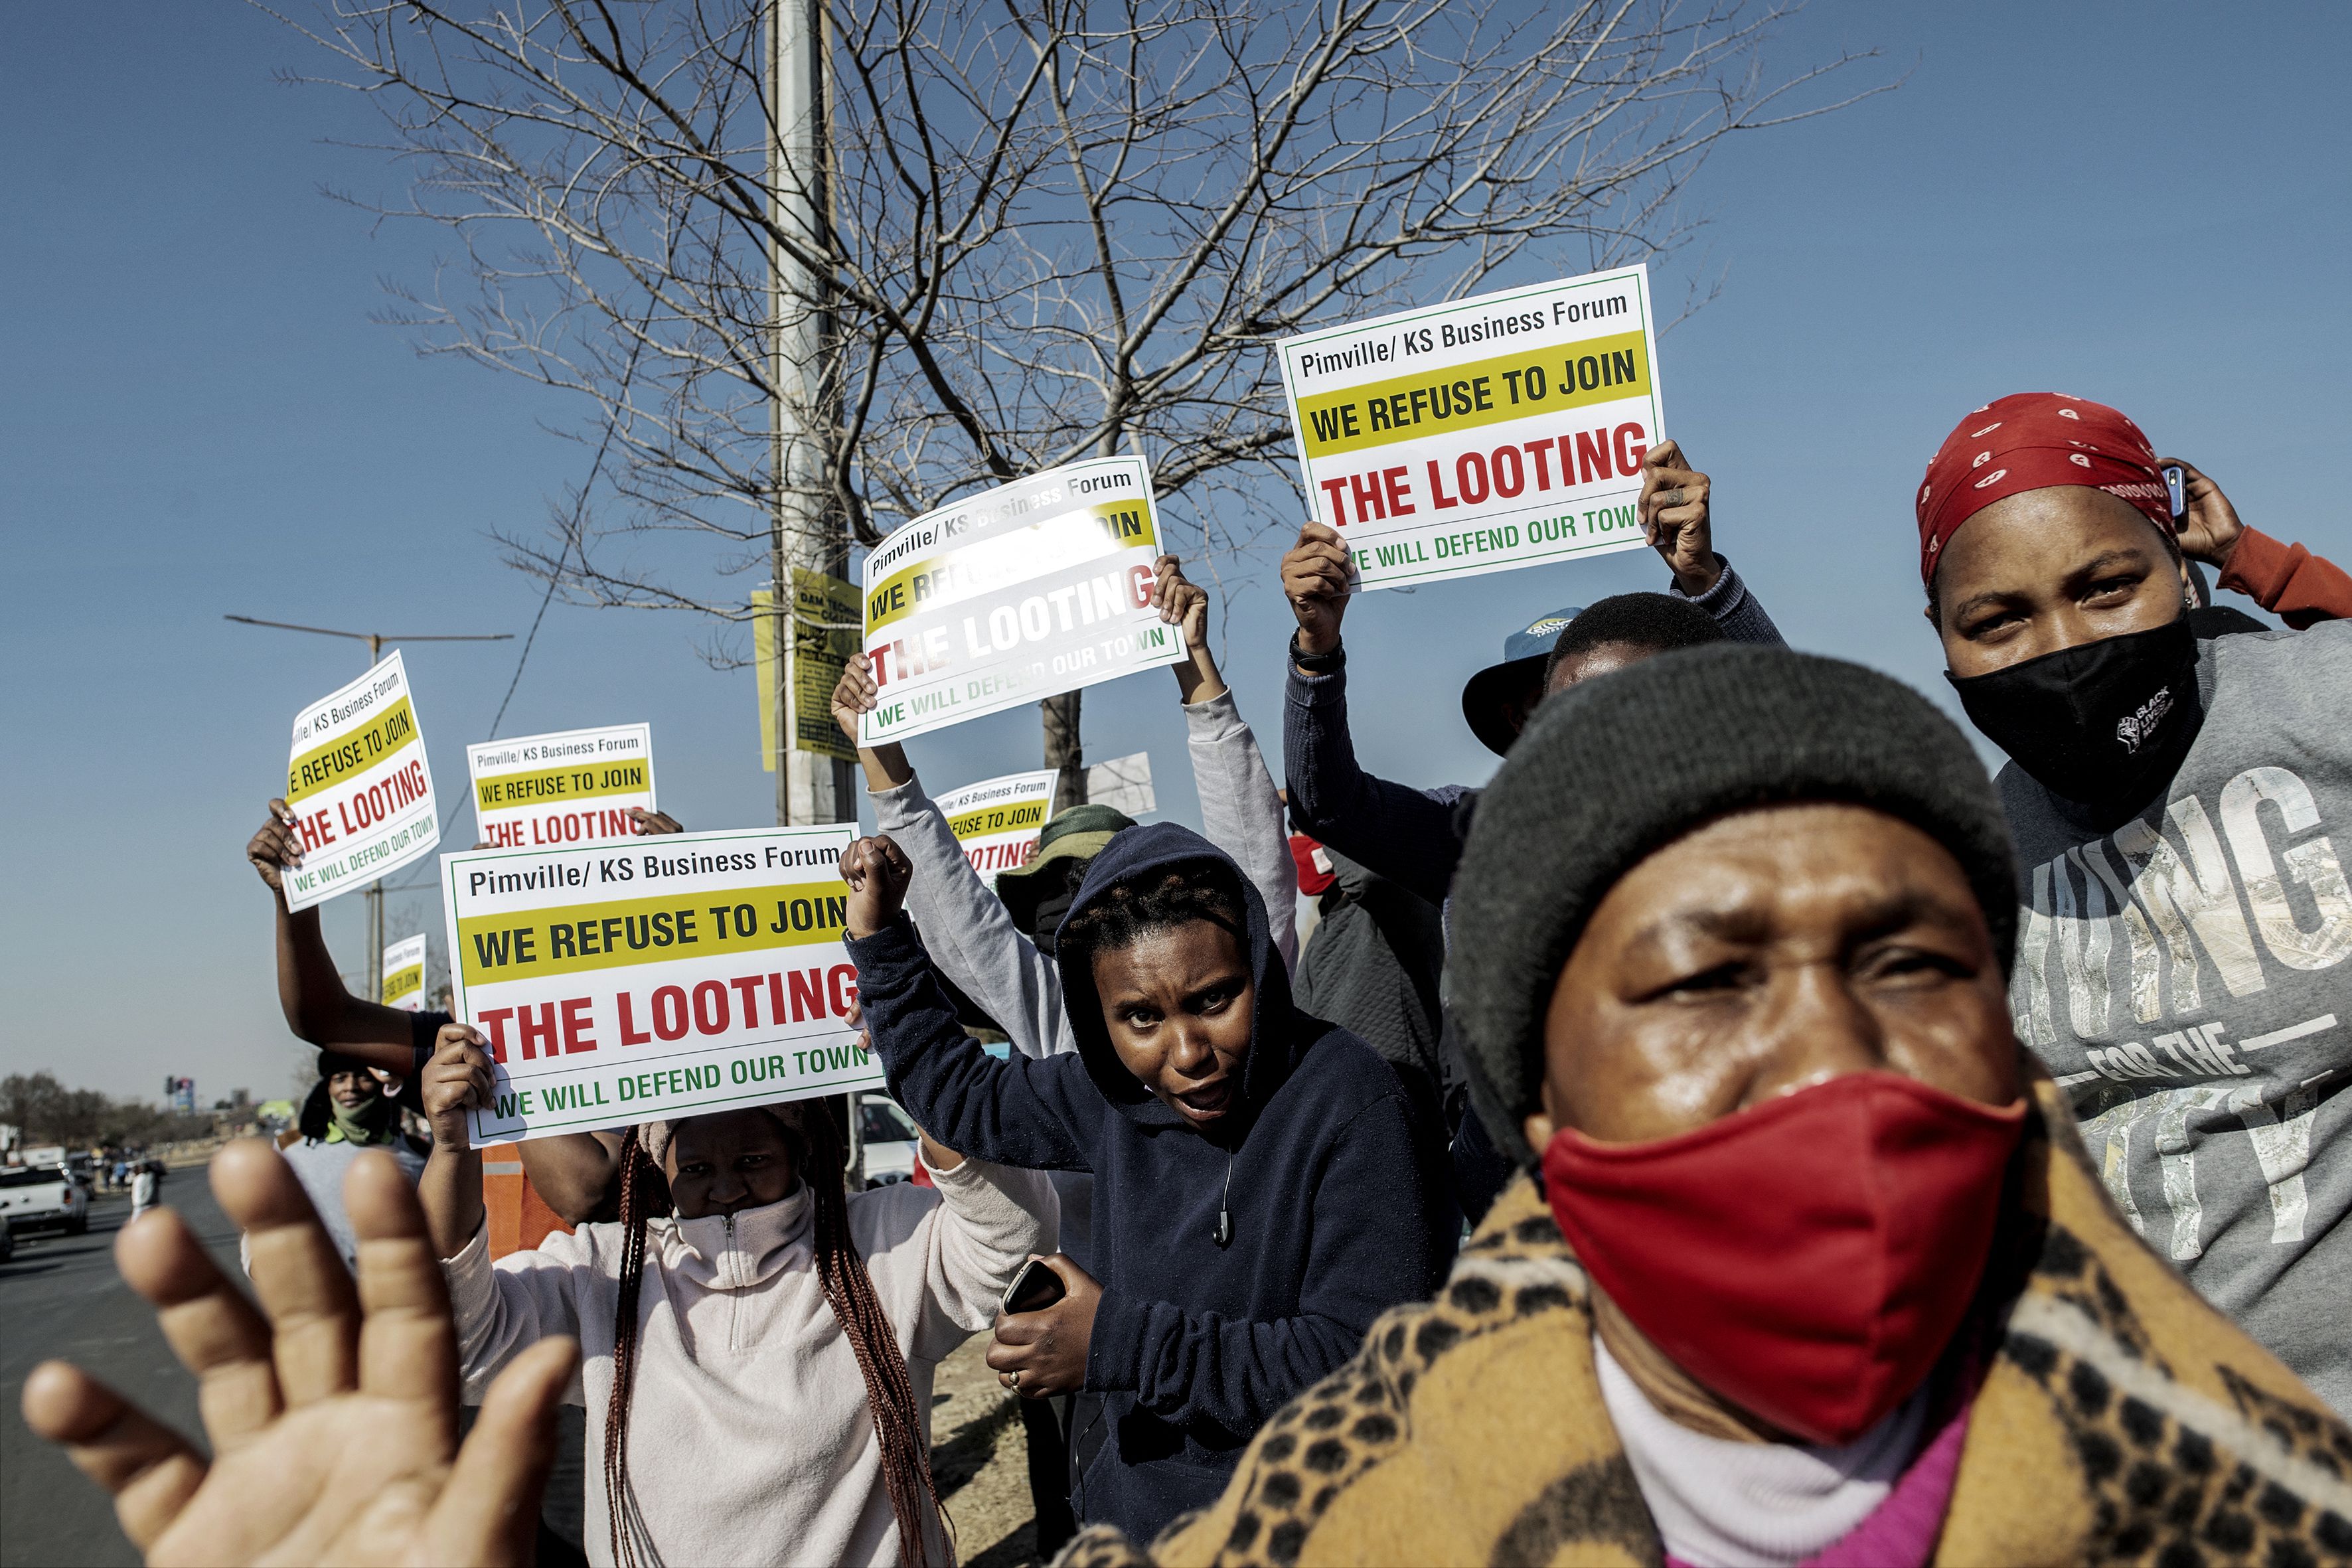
x: 1808, y: 1259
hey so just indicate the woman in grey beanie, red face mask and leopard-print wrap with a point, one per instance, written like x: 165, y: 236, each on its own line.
x: 1808, y: 1266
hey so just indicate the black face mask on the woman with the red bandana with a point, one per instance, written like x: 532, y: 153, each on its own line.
x: 2104, y: 723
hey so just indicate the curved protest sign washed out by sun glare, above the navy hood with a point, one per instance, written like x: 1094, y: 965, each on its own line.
x: 1020, y: 594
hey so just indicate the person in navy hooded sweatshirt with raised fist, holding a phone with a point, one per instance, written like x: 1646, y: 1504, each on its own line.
x: 1257, y: 1193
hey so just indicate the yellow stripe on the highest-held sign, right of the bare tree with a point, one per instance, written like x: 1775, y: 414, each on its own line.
x: 1481, y: 394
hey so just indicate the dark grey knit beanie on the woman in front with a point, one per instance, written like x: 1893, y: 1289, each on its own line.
x: 1624, y: 765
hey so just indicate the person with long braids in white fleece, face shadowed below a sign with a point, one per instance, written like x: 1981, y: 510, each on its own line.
x: 759, y: 1360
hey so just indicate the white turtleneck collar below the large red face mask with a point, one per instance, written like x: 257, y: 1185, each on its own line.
x: 1753, y: 1506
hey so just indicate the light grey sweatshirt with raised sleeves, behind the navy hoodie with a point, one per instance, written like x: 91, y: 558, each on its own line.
x: 973, y: 939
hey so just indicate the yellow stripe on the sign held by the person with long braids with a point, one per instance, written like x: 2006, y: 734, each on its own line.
x: 620, y: 932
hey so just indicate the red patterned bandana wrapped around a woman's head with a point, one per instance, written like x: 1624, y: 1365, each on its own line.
x: 2036, y: 441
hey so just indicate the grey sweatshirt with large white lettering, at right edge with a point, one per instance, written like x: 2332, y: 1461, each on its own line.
x: 2186, y: 981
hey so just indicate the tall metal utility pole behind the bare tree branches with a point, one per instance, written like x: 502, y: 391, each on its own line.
x: 810, y: 528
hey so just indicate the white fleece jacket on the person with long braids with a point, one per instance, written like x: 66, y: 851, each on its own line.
x: 749, y: 1435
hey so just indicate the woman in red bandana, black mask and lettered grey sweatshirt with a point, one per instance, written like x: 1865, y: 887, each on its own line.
x: 2174, y: 800
